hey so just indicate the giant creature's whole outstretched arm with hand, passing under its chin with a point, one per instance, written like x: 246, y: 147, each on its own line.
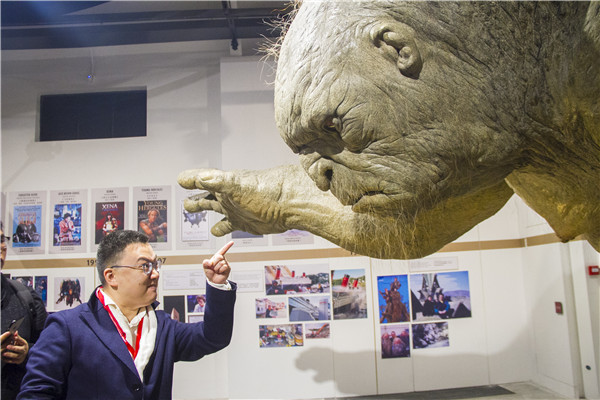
x: 284, y: 198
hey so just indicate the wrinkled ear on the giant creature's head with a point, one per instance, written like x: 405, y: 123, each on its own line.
x: 397, y: 39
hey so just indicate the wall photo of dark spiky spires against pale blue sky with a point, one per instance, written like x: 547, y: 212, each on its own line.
x: 442, y: 295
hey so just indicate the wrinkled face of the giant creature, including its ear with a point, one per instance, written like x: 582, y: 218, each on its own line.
x: 385, y: 118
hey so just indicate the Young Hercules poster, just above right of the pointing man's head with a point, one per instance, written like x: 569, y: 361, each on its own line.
x: 152, y: 215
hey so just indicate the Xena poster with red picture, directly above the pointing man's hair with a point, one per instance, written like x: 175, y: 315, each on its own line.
x: 110, y: 212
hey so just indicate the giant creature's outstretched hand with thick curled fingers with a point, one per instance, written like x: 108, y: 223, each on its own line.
x: 251, y: 201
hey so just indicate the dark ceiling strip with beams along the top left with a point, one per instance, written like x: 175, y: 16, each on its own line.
x: 64, y: 24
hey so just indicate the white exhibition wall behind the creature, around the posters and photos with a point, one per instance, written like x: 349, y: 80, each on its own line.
x: 206, y: 109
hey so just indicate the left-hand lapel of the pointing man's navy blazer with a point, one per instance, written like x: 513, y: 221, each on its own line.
x: 102, y: 326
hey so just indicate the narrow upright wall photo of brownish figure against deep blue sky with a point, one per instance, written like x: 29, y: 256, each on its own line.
x: 393, y: 299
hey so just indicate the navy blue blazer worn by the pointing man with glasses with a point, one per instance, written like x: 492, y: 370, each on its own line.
x: 80, y: 355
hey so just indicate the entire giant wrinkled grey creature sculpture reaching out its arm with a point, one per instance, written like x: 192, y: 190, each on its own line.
x: 415, y: 121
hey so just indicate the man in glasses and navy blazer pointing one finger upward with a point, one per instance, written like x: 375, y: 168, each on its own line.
x: 117, y: 346
